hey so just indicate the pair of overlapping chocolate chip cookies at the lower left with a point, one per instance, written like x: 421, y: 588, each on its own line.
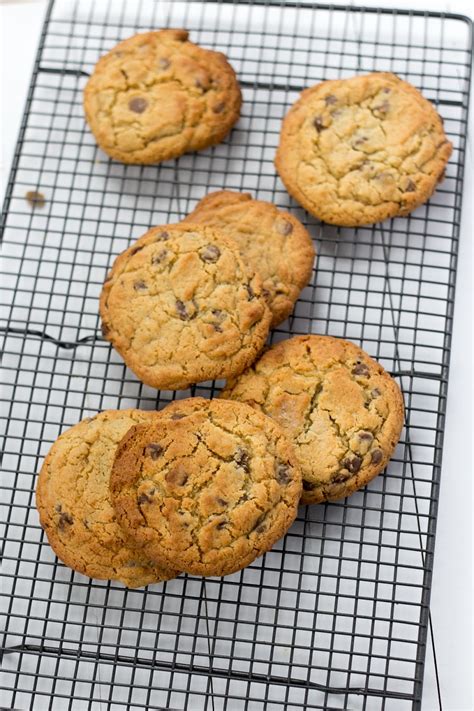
x: 204, y: 486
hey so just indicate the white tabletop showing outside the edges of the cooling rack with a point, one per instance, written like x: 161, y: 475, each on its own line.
x: 452, y: 592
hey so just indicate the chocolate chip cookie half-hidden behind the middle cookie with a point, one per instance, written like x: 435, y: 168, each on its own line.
x: 274, y: 243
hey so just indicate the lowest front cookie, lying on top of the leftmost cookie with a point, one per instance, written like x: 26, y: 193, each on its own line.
x: 208, y: 488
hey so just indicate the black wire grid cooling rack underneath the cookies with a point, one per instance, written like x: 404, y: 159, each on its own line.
x: 336, y: 616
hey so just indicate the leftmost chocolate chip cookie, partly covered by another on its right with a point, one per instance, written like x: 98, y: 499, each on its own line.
x: 73, y: 501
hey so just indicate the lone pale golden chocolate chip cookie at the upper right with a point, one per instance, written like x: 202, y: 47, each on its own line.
x: 357, y: 151
